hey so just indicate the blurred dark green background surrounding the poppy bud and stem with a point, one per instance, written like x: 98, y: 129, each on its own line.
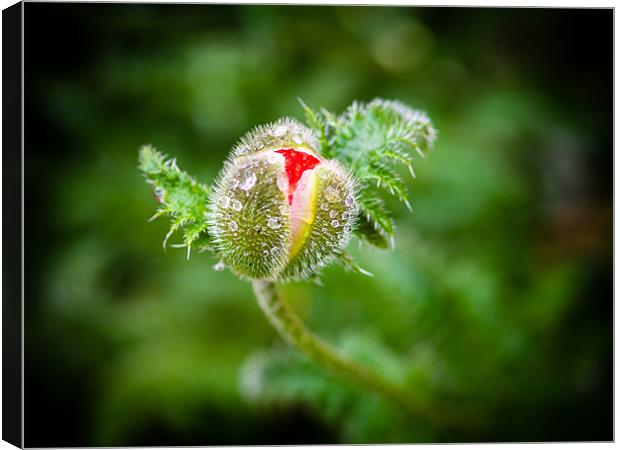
x: 499, y: 289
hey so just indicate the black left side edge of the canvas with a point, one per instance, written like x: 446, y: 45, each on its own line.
x: 12, y: 230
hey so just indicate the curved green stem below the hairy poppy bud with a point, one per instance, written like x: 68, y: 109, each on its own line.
x: 292, y: 329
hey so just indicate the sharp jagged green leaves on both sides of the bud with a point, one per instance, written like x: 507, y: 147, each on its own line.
x: 370, y: 139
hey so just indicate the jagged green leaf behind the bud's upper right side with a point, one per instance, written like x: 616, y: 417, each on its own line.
x: 370, y: 139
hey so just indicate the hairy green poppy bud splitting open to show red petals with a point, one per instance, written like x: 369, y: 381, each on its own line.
x: 279, y: 210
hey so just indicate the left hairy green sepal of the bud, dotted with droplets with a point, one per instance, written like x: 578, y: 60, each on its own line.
x: 249, y: 216
